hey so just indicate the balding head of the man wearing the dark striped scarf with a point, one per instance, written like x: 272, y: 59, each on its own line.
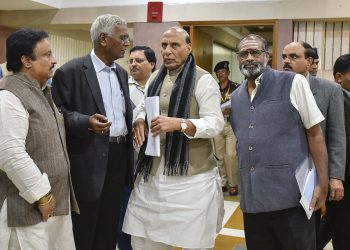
x: 176, y: 47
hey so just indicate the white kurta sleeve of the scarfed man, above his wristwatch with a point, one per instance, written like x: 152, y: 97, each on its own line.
x: 211, y: 121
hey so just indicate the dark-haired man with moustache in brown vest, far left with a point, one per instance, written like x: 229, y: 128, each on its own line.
x: 34, y: 185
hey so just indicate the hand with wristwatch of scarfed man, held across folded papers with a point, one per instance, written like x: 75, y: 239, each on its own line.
x: 164, y: 124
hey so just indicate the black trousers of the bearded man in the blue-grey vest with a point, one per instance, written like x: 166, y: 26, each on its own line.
x: 287, y: 229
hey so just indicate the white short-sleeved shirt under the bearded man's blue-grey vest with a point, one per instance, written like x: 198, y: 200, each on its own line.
x: 302, y: 99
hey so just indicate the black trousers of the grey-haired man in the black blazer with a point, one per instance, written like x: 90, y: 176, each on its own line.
x: 96, y: 228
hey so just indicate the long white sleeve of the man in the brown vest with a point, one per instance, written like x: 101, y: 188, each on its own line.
x: 14, y: 160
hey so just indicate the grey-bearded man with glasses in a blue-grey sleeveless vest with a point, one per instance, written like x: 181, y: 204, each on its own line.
x: 276, y: 121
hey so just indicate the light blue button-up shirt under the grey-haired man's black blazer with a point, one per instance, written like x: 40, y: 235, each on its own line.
x: 112, y: 95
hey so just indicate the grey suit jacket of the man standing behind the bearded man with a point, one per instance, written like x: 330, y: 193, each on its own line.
x: 329, y: 99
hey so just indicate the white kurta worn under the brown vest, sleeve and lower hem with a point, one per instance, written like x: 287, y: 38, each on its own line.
x: 56, y: 233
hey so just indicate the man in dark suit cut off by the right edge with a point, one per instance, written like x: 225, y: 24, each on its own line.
x: 338, y: 216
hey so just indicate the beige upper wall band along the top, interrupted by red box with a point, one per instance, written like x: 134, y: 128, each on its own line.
x: 243, y: 10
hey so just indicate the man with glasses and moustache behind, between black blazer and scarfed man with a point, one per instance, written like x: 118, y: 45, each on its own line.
x: 142, y: 62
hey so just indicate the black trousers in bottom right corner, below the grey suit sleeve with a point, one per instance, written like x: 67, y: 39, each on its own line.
x: 337, y: 222
